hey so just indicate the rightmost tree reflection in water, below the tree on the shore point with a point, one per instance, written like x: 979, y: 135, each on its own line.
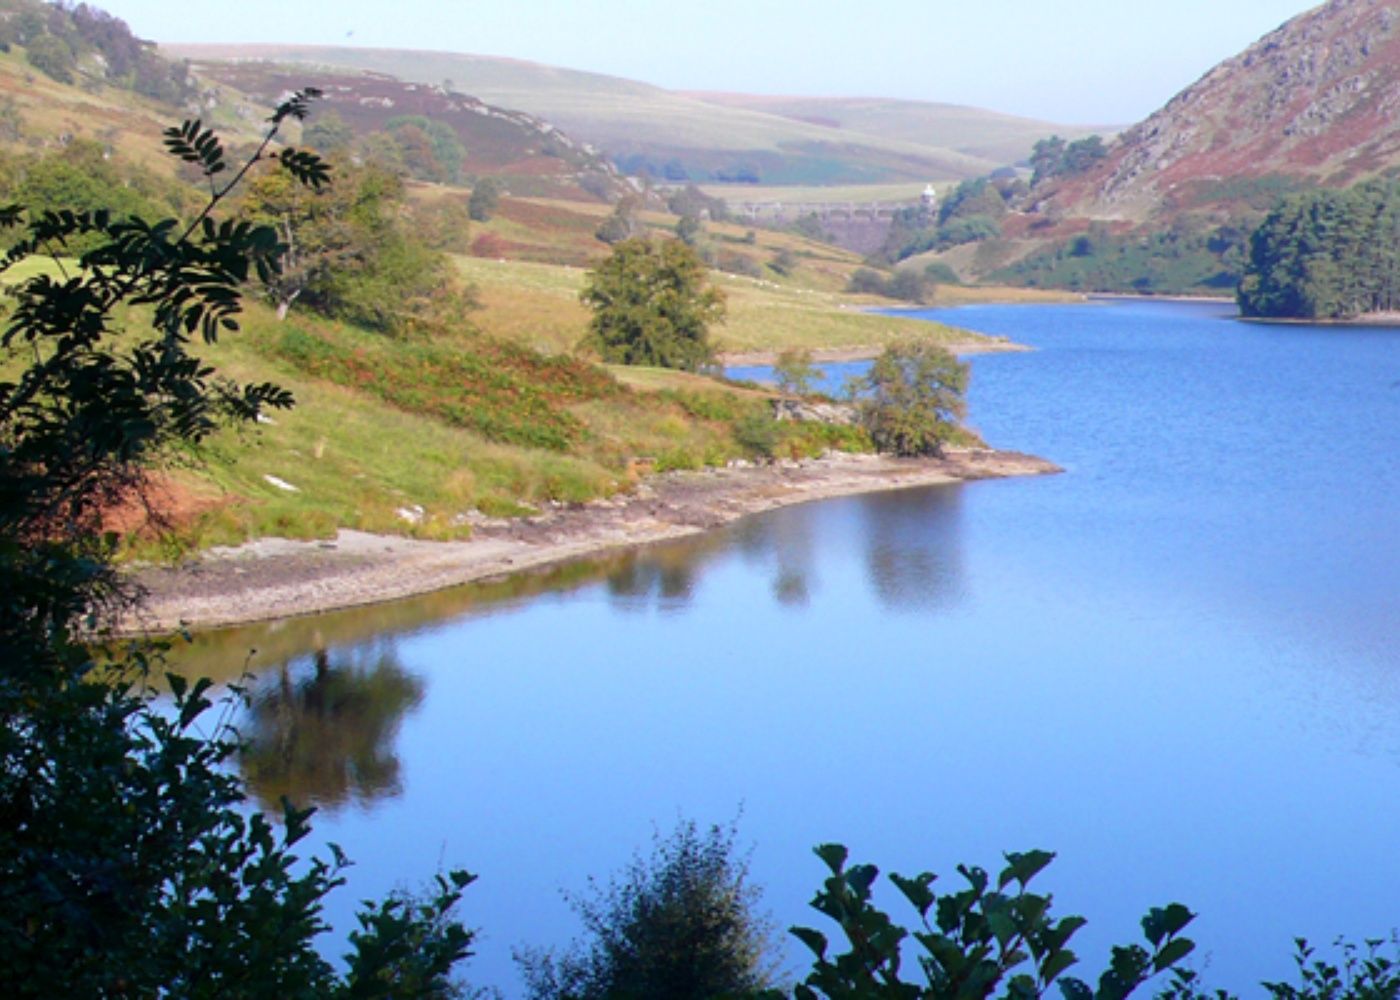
x: 915, y: 550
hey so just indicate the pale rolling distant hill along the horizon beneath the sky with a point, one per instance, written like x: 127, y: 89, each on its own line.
x: 705, y: 138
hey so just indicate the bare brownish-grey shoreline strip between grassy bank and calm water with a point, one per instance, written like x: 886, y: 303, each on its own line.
x: 275, y: 579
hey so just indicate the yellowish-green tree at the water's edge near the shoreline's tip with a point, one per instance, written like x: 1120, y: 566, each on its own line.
x: 912, y: 398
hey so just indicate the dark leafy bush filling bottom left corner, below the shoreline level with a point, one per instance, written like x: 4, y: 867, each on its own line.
x: 131, y: 868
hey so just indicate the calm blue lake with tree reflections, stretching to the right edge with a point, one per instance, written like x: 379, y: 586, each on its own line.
x: 1175, y: 666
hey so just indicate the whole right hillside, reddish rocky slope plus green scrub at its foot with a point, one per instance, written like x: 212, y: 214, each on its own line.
x: 1170, y: 207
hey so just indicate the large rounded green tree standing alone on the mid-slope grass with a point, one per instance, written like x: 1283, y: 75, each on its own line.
x: 653, y: 305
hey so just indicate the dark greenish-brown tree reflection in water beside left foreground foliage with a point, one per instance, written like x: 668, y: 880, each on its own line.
x: 323, y: 730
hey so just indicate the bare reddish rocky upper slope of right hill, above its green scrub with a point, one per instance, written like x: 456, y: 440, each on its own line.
x: 1315, y: 103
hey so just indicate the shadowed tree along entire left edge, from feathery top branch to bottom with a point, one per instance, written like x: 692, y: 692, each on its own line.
x: 129, y: 865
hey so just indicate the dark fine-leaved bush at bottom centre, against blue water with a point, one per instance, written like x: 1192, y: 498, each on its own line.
x: 680, y: 925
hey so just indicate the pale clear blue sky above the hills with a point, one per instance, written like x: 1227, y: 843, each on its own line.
x: 1074, y: 62
